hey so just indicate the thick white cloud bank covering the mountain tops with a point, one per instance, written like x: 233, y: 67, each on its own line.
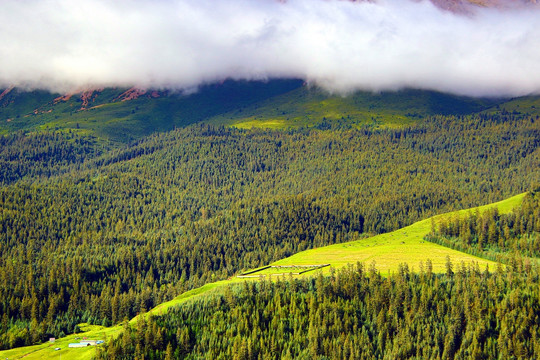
x: 65, y: 45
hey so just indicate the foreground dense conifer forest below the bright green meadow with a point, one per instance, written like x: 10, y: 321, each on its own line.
x: 354, y: 314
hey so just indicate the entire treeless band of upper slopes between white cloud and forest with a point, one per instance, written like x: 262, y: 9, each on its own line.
x: 122, y: 115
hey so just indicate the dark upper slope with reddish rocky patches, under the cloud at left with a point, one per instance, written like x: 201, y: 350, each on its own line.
x: 107, y: 117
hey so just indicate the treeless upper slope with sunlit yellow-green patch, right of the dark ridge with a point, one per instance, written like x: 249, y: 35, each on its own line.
x: 313, y: 107
